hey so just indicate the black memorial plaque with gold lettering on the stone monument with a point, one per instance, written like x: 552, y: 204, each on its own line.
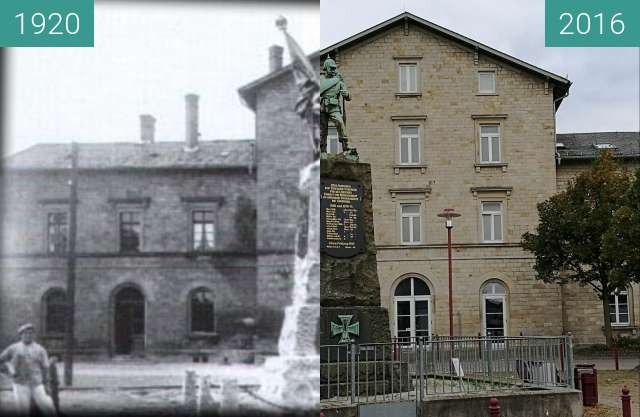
x: 341, y: 223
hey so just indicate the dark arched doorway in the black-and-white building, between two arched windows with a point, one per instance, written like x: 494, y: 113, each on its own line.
x: 128, y: 321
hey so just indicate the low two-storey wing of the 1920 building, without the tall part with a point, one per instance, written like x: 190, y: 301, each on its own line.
x: 163, y: 263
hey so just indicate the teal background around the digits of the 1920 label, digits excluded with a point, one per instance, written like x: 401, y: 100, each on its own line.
x: 10, y: 25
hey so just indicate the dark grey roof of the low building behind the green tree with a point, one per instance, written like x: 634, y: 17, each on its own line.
x: 584, y: 145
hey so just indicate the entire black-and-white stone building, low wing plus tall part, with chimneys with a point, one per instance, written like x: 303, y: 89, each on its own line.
x: 166, y: 235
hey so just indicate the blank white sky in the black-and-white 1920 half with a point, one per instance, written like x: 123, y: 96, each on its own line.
x: 147, y: 56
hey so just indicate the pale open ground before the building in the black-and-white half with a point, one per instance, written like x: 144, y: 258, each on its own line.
x: 126, y: 387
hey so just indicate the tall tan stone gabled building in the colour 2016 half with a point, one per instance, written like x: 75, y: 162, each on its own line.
x: 446, y: 121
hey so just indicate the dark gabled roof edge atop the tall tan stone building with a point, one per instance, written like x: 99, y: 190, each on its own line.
x: 562, y: 82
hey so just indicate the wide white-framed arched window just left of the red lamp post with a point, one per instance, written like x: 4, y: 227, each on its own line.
x: 412, y: 300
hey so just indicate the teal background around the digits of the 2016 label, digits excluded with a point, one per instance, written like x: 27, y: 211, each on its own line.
x: 630, y: 10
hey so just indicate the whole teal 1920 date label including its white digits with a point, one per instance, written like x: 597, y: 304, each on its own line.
x: 46, y: 23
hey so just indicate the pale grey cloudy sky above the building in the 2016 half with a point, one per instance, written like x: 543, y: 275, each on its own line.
x: 605, y: 94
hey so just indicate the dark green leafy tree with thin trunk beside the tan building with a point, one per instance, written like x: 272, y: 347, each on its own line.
x: 574, y: 241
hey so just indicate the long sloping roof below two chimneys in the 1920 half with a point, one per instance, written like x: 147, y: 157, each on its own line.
x: 218, y: 154
